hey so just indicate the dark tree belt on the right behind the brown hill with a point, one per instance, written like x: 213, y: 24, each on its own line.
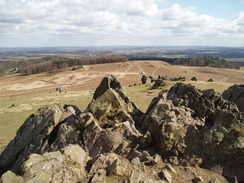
x: 206, y: 61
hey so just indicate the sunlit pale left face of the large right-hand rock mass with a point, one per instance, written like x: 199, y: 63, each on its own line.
x: 172, y: 129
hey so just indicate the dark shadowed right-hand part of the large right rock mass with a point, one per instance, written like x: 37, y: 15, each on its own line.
x: 223, y: 130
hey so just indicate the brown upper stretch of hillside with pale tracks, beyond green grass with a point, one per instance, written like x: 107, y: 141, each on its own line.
x: 128, y: 73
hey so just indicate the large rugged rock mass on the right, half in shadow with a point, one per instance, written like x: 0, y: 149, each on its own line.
x: 194, y: 127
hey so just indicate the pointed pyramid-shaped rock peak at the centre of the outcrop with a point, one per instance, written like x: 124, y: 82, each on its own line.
x: 110, y: 102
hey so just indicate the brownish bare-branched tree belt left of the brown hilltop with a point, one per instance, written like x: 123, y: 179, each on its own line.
x: 47, y: 64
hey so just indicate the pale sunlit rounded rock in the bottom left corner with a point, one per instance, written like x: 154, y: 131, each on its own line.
x: 52, y: 167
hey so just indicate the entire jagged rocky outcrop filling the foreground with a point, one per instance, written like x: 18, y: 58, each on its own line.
x: 113, y: 141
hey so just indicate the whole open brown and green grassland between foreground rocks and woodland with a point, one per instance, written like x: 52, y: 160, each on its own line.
x: 21, y: 96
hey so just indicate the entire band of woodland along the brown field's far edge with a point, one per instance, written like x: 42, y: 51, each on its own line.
x: 55, y: 63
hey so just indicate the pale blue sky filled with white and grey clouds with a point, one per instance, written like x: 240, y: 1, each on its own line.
x: 27, y: 23
